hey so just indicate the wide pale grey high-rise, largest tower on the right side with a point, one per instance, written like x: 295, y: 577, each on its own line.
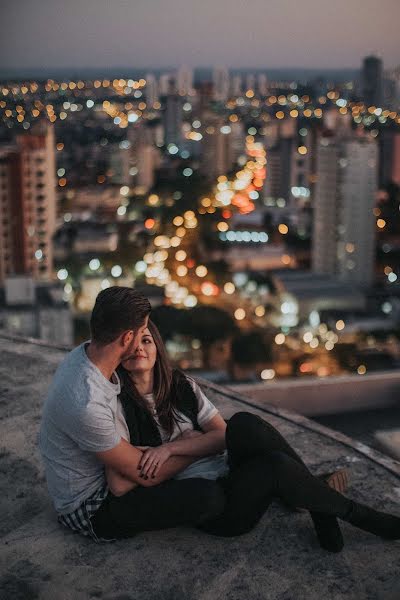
x: 344, y: 223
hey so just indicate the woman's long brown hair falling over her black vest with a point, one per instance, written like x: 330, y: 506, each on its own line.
x: 164, y: 399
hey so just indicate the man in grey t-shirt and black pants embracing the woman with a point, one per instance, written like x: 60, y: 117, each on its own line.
x: 79, y: 441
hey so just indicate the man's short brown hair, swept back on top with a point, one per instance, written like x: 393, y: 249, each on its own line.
x: 117, y: 309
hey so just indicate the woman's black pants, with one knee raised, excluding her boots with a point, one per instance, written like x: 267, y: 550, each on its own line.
x: 264, y: 466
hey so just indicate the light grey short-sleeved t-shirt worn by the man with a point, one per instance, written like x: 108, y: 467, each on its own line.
x: 78, y: 420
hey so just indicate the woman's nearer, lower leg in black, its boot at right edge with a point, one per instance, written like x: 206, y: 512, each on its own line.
x: 255, y: 482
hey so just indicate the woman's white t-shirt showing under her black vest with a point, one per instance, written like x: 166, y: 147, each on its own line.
x: 208, y: 467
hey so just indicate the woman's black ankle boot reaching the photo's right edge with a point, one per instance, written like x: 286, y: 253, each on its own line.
x: 374, y: 521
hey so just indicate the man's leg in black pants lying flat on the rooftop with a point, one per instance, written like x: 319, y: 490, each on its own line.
x: 173, y: 503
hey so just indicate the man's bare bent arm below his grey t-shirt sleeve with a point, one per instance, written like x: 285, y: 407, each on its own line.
x: 123, y: 460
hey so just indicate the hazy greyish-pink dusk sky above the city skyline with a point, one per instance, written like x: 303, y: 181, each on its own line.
x: 51, y: 34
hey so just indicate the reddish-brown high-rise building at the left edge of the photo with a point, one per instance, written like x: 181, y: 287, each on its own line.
x: 28, y: 205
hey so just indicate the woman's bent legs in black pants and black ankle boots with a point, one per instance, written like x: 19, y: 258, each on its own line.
x: 263, y: 465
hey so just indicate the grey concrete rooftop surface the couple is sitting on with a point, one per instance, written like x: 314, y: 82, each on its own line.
x: 279, y: 559
